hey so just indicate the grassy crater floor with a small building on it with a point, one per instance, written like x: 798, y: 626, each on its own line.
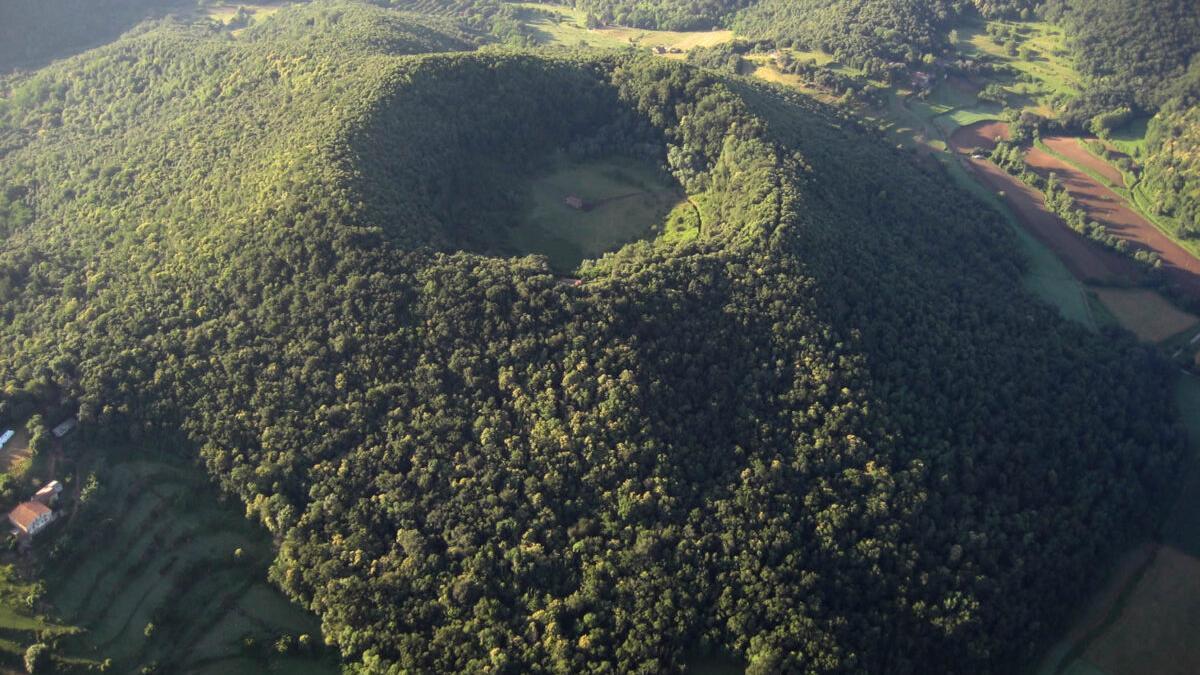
x: 627, y: 201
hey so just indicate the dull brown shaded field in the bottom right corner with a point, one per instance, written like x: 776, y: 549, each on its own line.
x: 1156, y: 630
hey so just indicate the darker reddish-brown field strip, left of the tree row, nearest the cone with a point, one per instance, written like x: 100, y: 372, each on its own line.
x: 1087, y: 260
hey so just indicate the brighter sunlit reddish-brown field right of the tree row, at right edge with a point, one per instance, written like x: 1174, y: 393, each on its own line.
x: 1106, y: 207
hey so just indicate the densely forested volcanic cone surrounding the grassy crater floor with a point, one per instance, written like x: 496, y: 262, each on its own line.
x: 794, y: 440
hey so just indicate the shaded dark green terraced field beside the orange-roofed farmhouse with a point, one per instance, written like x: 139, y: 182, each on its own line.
x: 164, y: 575
